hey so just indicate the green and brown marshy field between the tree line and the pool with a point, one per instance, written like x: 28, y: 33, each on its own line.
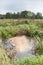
x: 10, y: 27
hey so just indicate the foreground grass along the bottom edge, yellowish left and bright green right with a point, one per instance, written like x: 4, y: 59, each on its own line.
x: 32, y: 60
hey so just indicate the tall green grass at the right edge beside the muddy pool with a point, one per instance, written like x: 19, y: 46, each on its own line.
x: 39, y: 46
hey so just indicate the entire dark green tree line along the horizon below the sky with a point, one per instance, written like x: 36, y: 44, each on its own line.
x: 22, y: 14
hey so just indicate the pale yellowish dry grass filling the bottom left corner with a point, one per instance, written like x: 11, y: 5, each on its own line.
x: 4, y: 60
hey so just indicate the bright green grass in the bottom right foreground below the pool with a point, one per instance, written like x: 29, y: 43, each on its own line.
x: 35, y: 60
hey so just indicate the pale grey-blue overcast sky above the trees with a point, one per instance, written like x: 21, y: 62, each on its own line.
x: 20, y: 5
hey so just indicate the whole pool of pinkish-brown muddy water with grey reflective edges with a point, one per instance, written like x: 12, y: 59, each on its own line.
x: 23, y: 45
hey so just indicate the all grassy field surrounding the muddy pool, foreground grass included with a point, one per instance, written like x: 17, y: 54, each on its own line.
x: 13, y: 27
